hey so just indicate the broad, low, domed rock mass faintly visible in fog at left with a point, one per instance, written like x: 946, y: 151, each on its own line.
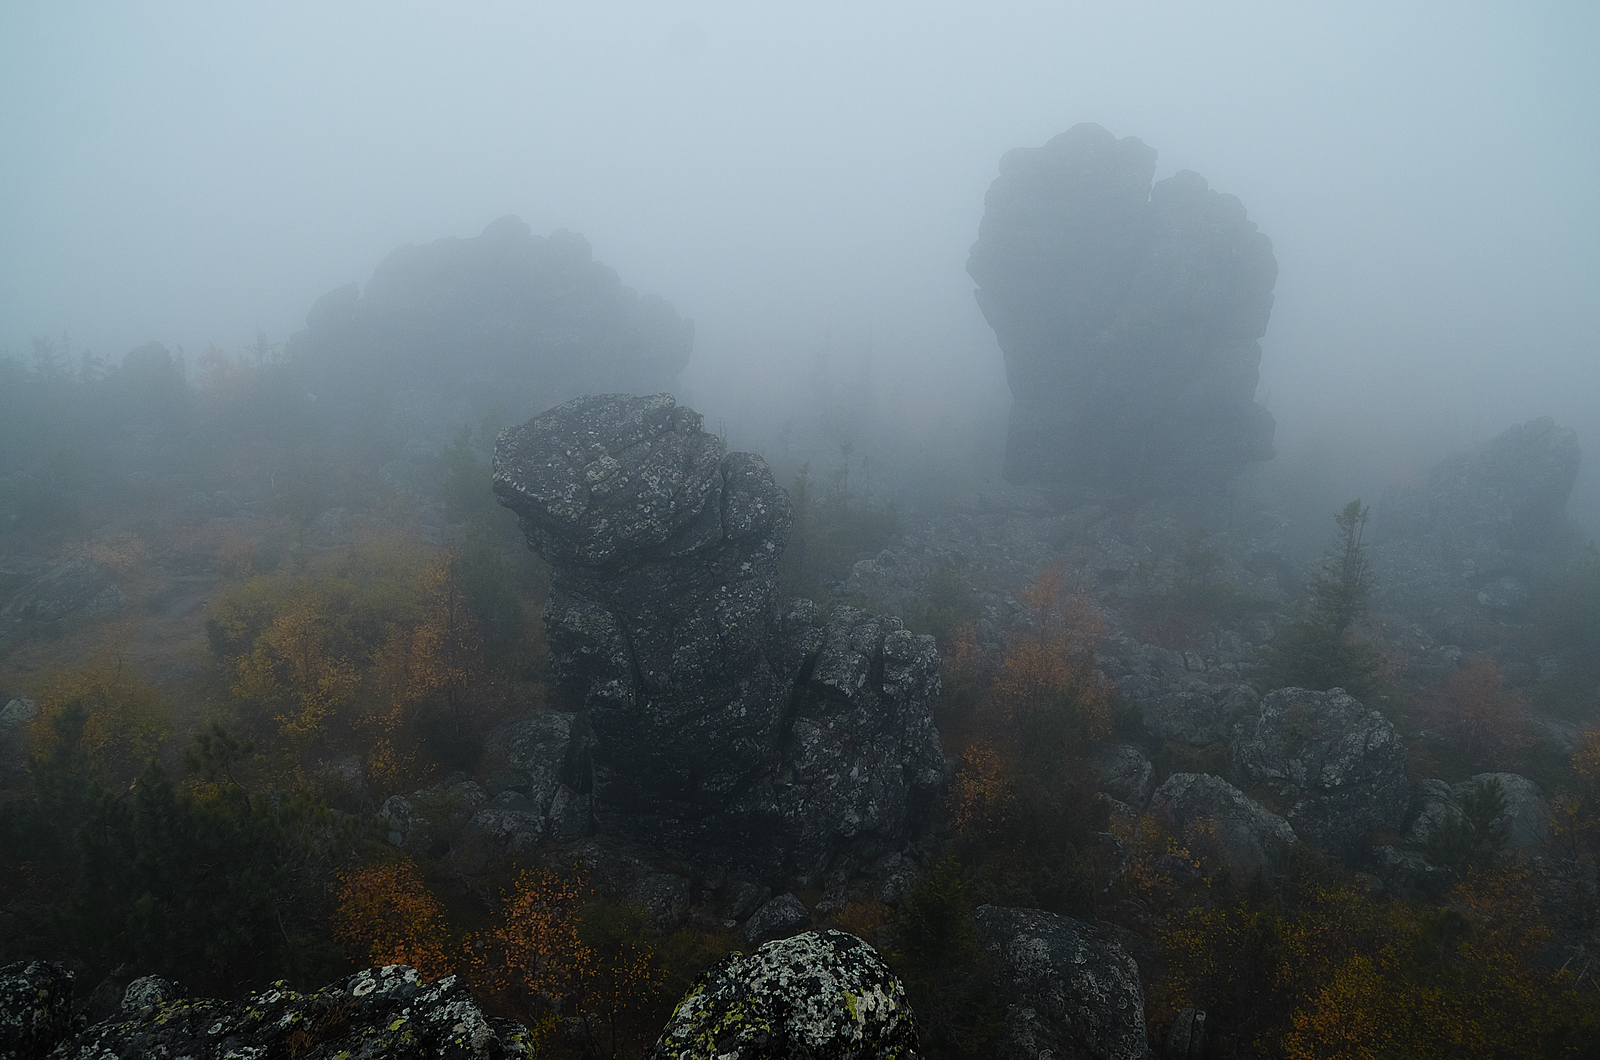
x: 506, y: 316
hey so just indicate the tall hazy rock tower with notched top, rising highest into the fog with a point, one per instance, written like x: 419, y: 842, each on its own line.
x: 1129, y: 318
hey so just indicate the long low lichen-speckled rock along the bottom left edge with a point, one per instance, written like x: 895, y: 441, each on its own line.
x: 380, y: 1013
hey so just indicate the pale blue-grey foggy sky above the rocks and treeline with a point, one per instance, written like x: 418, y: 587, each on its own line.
x: 806, y: 183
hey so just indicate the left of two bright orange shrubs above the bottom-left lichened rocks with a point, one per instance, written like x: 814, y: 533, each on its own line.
x: 388, y: 915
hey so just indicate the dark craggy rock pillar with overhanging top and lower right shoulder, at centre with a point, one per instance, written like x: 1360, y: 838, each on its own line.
x: 714, y: 718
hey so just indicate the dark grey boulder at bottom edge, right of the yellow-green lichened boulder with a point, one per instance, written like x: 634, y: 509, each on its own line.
x: 1070, y: 992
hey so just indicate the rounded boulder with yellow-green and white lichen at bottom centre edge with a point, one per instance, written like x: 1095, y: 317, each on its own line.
x: 815, y: 997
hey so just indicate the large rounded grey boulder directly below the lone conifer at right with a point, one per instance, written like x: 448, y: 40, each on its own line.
x: 1338, y: 763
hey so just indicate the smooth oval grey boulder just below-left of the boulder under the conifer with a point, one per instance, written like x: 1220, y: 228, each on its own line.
x: 1220, y: 824
